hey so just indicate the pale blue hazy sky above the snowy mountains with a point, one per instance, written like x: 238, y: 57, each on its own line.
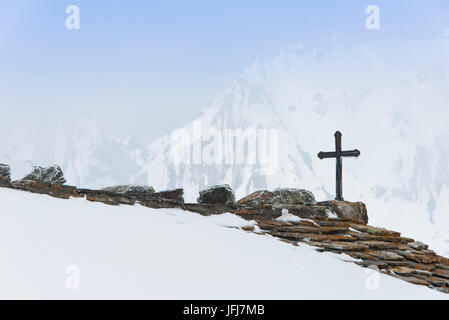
x: 158, y: 63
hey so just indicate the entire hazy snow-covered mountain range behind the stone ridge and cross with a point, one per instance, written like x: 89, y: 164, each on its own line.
x: 390, y: 101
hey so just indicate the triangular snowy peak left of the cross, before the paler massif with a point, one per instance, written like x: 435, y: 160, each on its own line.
x: 244, y: 108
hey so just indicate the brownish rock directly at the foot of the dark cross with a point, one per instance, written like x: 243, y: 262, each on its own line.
x: 355, y: 211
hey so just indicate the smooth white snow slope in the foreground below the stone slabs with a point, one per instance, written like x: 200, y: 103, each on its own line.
x: 136, y: 252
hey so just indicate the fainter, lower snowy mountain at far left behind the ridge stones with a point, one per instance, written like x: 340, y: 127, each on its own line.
x: 88, y: 156
